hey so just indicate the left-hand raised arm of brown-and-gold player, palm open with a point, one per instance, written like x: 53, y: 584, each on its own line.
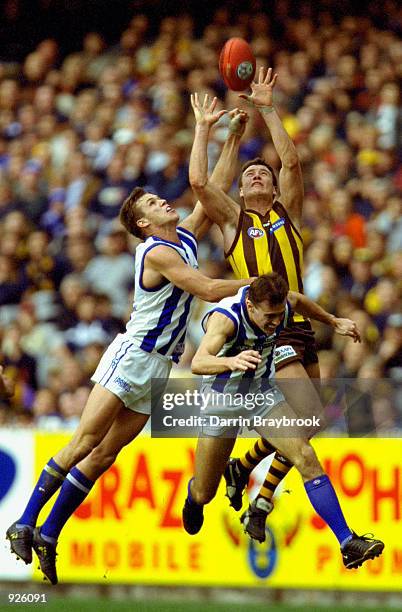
x: 219, y: 207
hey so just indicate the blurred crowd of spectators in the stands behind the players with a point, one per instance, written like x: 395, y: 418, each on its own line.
x: 79, y: 131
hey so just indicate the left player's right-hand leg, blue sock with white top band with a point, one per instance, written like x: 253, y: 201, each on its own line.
x: 78, y: 483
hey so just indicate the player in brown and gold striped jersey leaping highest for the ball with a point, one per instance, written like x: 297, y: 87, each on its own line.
x: 262, y: 237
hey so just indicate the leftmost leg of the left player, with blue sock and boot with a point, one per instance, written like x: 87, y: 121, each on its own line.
x: 99, y: 413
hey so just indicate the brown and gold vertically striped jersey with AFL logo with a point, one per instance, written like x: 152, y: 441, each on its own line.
x: 268, y: 243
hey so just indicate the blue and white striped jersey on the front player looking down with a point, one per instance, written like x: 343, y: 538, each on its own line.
x: 247, y: 336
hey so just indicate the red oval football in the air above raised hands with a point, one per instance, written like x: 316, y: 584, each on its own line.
x: 237, y: 64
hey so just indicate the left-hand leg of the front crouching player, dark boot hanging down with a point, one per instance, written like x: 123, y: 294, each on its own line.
x: 211, y: 456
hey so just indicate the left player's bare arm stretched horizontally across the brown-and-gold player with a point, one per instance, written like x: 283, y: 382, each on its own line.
x: 167, y: 262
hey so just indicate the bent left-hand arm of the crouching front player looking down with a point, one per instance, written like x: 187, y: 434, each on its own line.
x: 205, y: 361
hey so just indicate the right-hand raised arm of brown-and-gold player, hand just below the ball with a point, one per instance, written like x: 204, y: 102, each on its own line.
x: 290, y: 176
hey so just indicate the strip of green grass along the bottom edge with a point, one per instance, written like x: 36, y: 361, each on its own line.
x: 69, y: 604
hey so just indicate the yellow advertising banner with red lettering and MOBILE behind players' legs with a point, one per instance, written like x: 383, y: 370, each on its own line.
x: 129, y: 528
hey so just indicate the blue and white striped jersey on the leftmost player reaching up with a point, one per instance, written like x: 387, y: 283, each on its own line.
x: 160, y: 315
